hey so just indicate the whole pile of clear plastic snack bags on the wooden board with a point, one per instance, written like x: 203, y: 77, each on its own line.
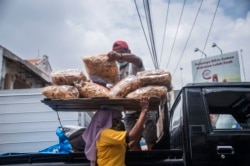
x: 73, y: 83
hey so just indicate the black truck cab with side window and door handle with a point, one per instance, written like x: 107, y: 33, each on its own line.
x: 211, y: 123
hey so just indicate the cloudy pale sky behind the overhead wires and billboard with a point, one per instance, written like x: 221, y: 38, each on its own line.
x: 67, y: 30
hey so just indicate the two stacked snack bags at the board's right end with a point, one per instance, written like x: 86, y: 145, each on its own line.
x: 151, y: 83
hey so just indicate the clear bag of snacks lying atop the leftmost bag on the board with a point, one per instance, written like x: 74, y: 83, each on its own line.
x: 67, y: 77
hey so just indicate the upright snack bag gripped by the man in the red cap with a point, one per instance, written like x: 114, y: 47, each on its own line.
x: 101, y: 70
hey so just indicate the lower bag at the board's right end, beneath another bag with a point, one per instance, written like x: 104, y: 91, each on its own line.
x: 149, y: 91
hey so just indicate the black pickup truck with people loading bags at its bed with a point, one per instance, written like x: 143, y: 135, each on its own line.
x: 207, y: 125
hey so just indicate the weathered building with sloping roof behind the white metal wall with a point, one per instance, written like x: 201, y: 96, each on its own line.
x: 16, y: 73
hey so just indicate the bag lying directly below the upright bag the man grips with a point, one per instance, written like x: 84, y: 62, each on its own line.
x: 91, y: 89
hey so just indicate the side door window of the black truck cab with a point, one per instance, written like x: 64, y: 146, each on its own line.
x: 229, y: 109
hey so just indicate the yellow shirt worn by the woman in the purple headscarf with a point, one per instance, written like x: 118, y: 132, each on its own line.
x: 111, y: 148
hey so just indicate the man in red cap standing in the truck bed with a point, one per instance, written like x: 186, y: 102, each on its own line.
x: 130, y: 64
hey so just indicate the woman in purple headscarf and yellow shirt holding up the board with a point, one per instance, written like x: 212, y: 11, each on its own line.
x: 106, y: 138
